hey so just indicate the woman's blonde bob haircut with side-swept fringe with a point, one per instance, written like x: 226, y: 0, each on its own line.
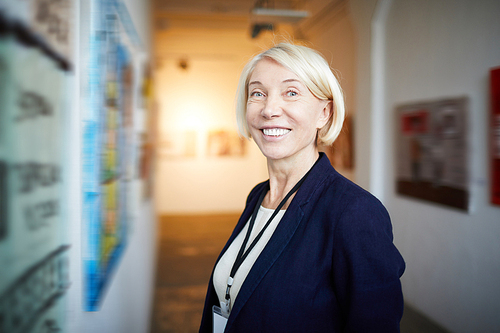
x: 314, y: 72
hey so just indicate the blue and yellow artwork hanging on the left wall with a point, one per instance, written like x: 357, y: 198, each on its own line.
x: 110, y: 145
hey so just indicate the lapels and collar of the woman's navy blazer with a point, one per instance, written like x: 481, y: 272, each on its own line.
x: 281, y: 236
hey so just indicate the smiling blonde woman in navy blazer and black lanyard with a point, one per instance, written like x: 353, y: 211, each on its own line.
x: 312, y: 252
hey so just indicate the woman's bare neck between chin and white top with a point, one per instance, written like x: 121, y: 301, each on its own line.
x: 283, y: 176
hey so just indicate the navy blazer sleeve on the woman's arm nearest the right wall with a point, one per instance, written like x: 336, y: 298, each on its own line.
x: 367, y: 268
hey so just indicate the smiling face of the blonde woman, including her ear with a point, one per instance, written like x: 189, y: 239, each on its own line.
x: 282, y: 114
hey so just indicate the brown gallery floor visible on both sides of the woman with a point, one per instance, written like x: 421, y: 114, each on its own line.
x: 188, y: 248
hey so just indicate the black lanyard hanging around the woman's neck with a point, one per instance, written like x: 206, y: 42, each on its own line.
x: 242, y: 254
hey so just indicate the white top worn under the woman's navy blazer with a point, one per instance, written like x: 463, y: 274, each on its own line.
x: 223, y: 268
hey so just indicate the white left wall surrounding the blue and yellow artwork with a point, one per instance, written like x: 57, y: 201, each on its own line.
x: 127, y: 304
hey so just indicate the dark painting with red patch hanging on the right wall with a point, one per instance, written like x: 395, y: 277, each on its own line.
x: 432, y: 152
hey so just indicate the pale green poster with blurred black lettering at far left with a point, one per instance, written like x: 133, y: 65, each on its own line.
x: 34, y: 253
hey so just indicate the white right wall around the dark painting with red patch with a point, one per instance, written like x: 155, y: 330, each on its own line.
x: 433, y: 49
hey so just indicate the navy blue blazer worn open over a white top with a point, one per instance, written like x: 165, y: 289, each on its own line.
x: 330, y: 266
